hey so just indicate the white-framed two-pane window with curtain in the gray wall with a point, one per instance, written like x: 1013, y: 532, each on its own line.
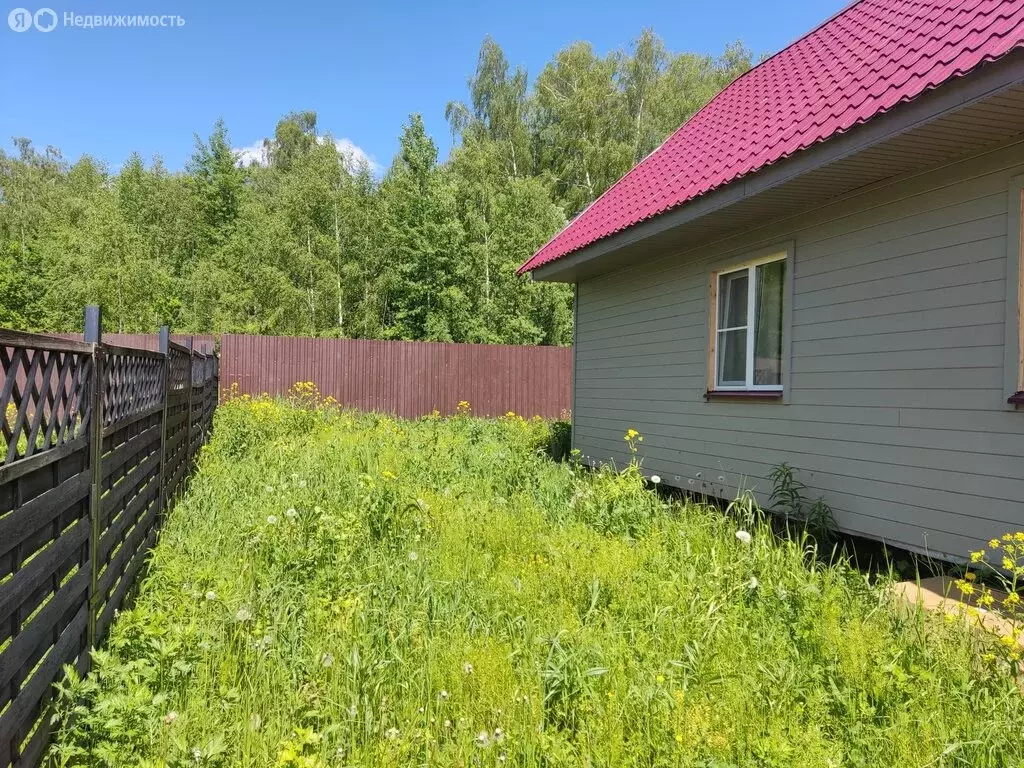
x: 747, y: 326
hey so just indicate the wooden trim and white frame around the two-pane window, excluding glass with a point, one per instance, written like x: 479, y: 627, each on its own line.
x: 763, y: 393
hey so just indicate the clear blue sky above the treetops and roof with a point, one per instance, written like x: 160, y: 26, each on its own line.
x: 364, y: 67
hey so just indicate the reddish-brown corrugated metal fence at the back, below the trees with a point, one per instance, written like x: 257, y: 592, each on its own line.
x: 406, y: 378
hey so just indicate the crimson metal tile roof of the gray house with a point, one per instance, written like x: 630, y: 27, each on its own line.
x: 860, y: 64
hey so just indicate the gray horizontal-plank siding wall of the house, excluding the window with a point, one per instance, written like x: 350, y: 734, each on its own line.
x: 897, y: 407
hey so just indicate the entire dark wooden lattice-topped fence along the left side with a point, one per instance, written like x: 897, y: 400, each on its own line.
x: 98, y: 441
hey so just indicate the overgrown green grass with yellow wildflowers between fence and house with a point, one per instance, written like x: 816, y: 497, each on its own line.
x: 348, y: 590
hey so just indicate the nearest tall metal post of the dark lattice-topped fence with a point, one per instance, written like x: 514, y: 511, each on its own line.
x: 94, y: 335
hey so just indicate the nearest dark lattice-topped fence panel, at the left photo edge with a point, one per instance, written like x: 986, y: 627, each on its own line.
x: 45, y: 532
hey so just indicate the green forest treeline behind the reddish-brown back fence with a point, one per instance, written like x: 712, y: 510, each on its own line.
x: 312, y: 243
